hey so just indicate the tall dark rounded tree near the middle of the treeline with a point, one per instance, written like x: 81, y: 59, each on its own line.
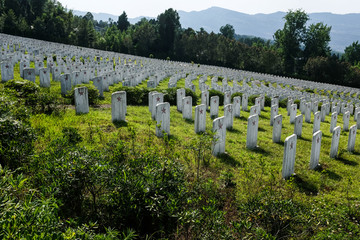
x: 169, y: 27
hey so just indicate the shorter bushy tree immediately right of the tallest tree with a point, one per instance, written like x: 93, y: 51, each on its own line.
x: 317, y: 41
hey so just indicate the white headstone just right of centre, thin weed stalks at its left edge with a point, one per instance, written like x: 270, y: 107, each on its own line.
x: 219, y: 136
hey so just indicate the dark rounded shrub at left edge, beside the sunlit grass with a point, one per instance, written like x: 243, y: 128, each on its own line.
x: 16, y: 142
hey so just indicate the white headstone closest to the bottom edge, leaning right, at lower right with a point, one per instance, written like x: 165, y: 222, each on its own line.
x: 289, y: 156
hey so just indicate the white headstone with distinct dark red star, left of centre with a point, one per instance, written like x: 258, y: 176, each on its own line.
x: 162, y: 111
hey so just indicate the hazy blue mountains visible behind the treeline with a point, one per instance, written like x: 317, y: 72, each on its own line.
x: 345, y: 28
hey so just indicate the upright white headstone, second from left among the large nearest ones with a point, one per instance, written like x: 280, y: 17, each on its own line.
x: 118, y: 106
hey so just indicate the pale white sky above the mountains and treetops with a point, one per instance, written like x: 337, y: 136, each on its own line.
x: 152, y: 8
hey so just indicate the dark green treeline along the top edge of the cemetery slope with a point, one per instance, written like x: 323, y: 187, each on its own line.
x: 297, y: 50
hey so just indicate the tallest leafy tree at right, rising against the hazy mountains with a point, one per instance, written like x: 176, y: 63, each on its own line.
x: 290, y: 38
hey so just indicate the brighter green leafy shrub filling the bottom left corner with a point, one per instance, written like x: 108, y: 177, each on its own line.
x: 22, y: 214
